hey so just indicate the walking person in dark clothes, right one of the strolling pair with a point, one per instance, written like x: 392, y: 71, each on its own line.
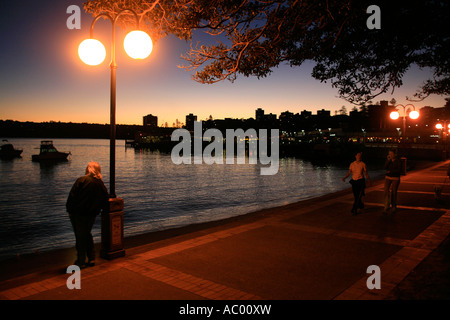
x: 393, y: 169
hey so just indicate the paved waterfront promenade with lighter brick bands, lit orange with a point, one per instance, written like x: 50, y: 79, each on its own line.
x: 313, y: 249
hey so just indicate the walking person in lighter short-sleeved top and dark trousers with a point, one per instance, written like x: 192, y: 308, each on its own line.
x: 358, y: 169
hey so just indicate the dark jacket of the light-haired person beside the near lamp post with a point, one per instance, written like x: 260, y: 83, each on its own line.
x: 88, y: 196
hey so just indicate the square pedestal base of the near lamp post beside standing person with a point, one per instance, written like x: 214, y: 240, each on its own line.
x: 112, y: 230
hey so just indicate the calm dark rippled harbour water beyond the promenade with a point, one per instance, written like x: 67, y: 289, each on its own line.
x: 158, y: 194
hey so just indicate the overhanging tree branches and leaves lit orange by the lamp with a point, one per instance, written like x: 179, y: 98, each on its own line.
x: 254, y: 37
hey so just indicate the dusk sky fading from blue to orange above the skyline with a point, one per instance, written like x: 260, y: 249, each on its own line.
x: 42, y: 78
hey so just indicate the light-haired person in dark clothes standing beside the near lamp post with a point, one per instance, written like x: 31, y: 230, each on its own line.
x: 87, y: 198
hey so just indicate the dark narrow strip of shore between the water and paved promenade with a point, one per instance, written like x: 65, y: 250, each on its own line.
x: 48, y: 262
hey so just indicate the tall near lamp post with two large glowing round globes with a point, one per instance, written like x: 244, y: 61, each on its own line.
x: 138, y: 45
